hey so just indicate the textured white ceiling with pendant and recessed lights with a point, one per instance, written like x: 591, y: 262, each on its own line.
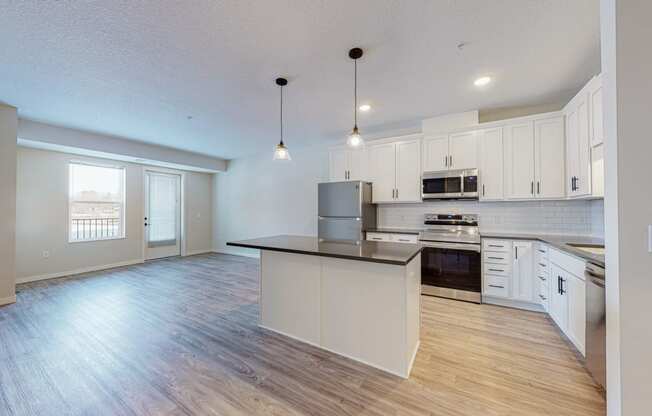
x: 137, y: 69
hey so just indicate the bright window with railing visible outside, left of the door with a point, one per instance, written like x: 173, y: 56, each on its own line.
x: 97, y: 202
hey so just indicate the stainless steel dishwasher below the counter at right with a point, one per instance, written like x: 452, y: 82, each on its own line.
x: 596, y: 334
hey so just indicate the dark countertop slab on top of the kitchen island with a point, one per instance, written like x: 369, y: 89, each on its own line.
x: 371, y: 251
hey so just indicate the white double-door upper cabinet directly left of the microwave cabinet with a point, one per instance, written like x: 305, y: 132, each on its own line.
x: 395, y: 170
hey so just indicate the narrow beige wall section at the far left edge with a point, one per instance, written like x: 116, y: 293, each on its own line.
x: 8, y: 123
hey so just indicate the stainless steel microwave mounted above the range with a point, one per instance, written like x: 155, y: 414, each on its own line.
x: 450, y: 184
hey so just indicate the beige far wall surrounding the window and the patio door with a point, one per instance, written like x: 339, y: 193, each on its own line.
x: 42, y: 218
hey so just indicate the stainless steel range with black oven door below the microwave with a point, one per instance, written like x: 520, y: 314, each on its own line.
x: 450, y: 259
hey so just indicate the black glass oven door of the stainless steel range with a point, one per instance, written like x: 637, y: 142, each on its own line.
x: 451, y: 270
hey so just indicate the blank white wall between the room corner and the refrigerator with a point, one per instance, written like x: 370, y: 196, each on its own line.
x: 257, y: 197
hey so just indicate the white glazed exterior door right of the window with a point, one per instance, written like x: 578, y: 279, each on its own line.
x: 162, y: 215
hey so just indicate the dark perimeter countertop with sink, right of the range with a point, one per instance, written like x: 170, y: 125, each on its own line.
x: 560, y: 242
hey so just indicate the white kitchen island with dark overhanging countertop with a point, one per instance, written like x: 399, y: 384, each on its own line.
x: 361, y: 300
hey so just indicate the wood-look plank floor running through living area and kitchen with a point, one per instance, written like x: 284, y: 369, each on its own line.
x: 179, y: 337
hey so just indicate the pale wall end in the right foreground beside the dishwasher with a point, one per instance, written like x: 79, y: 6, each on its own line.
x: 626, y: 66
